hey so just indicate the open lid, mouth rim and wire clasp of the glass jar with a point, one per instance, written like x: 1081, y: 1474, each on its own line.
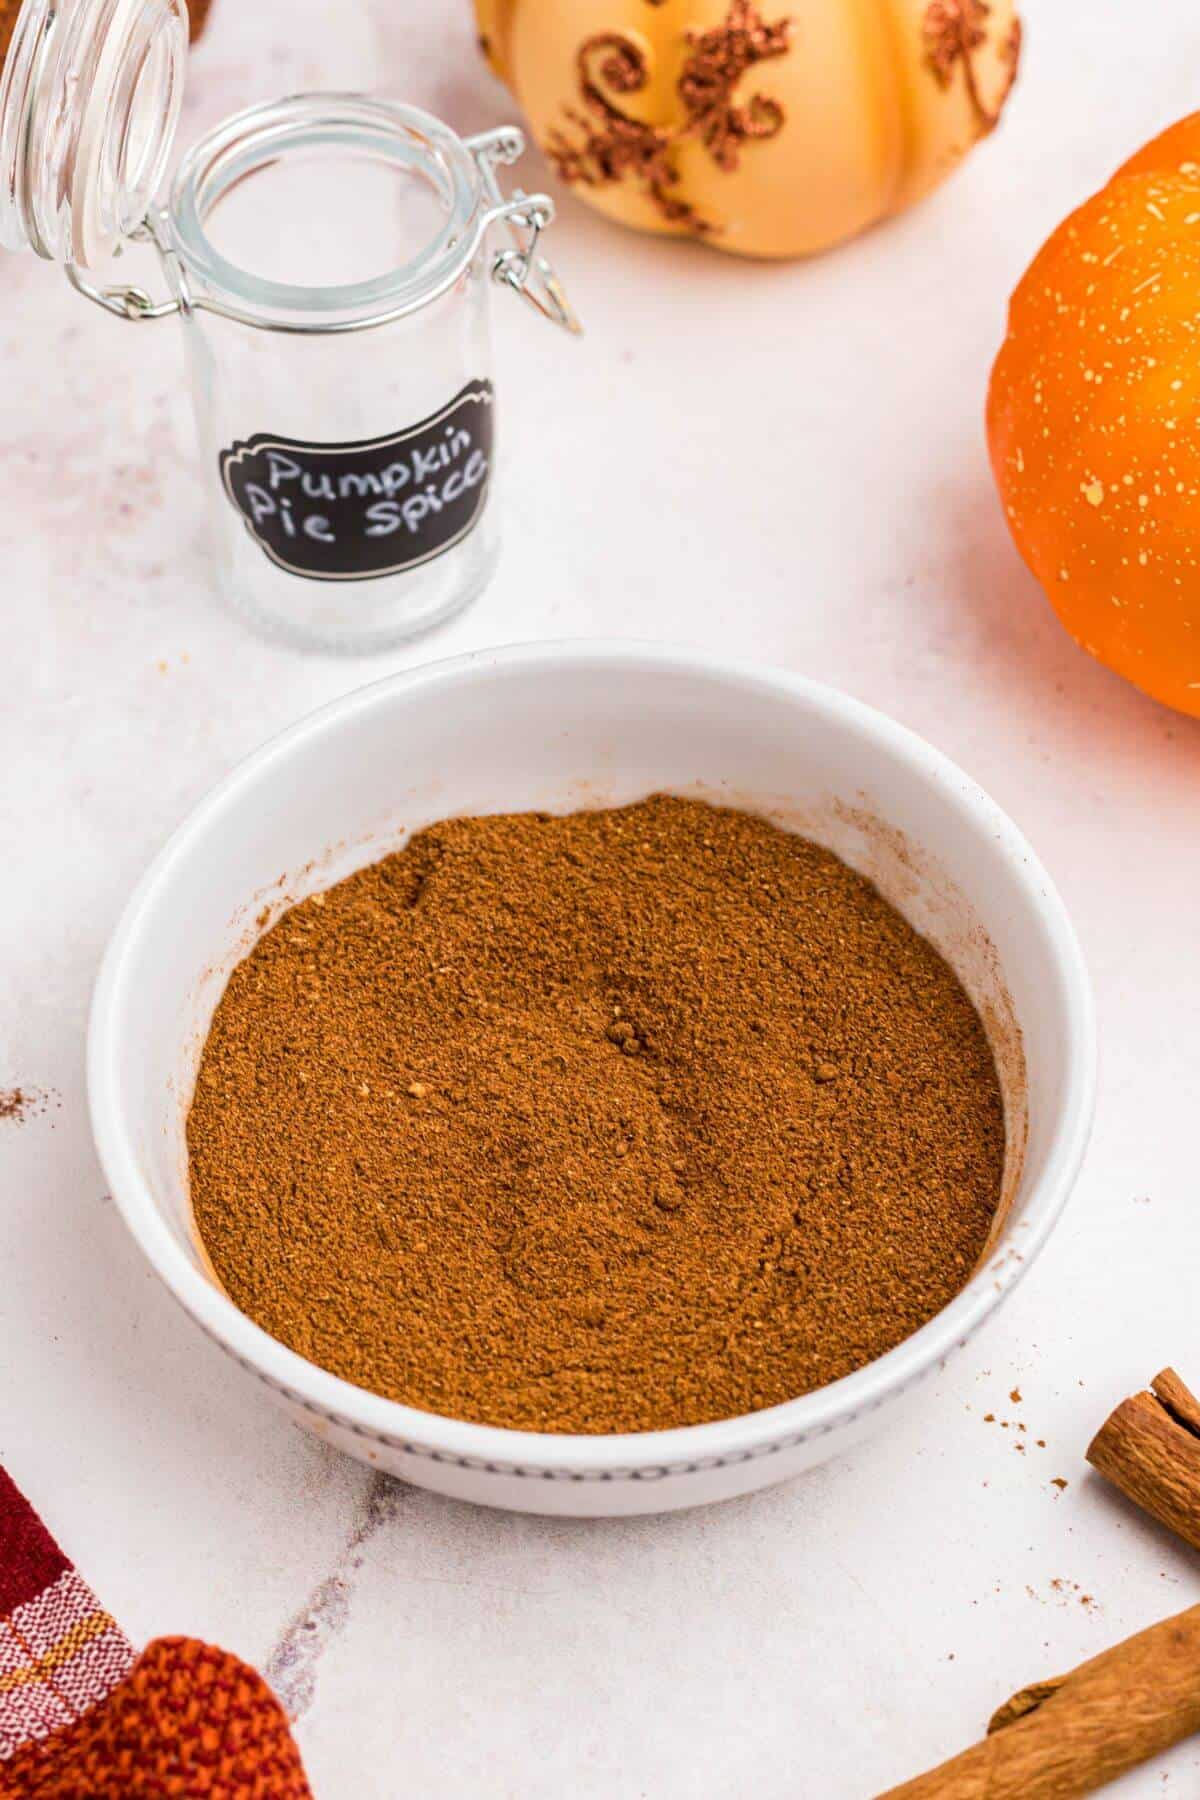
x: 91, y: 100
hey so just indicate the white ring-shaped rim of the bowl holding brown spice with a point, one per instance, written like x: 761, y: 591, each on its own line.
x: 652, y: 1455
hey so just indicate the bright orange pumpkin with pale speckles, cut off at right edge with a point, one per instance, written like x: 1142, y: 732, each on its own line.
x: 1095, y: 420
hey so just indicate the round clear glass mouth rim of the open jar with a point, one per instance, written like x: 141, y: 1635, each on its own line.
x: 264, y: 136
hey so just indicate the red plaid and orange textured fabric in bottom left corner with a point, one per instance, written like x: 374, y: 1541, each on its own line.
x: 82, y: 1718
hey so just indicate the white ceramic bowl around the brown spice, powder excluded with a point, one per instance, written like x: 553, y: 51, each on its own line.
x: 557, y: 728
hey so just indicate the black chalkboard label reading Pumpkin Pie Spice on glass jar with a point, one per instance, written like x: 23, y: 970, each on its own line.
x: 363, y: 510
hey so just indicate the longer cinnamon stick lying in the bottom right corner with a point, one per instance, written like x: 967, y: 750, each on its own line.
x: 1068, y: 1738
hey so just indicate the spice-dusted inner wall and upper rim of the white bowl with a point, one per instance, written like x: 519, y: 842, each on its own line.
x: 559, y: 730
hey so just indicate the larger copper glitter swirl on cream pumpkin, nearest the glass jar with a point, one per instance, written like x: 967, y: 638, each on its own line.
x: 611, y: 147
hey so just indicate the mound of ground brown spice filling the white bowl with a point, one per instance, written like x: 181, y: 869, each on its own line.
x: 607, y: 1122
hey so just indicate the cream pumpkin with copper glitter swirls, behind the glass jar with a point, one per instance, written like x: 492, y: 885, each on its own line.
x: 767, y: 130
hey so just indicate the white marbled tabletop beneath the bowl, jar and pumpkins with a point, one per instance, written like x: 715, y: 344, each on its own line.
x: 784, y: 463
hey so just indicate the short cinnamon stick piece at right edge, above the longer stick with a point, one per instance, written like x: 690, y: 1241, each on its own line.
x: 1151, y: 1450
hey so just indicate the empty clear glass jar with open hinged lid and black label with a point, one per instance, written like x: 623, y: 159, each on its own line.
x: 343, y: 379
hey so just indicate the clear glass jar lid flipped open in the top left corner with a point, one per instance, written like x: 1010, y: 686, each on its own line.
x: 89, y: 107
